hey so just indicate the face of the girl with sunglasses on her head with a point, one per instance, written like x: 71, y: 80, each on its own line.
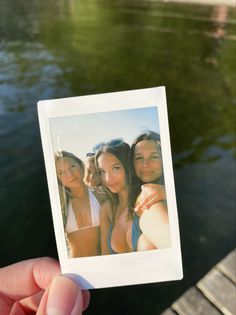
x: 112, y: 172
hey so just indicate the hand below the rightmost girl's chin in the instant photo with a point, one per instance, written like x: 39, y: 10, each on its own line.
x: 150, y: 194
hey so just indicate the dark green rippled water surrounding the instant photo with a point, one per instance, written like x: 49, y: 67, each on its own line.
x: 52, y: 49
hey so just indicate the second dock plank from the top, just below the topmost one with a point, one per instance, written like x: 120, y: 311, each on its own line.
x: 220, y: 291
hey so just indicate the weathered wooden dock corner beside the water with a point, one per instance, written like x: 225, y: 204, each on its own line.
x: 214, y: 294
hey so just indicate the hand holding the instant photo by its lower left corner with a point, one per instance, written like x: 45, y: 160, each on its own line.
x: 35, y: 286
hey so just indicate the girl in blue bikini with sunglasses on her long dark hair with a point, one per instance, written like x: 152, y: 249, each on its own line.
x: 119, y: 227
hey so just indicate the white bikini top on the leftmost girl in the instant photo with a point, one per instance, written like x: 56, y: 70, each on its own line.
x: 71, y: 224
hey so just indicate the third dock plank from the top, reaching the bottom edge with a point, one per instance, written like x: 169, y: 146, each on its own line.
x: 193, y: 302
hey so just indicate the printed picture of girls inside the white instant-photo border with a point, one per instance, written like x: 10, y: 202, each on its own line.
x: 111, y: 182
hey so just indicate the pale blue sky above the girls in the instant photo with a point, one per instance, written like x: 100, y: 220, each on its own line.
x: 79, y: 133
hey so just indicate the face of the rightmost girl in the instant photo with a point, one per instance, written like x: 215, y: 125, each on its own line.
x: 147, y: 161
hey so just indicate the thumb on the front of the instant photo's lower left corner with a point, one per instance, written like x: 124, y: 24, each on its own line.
x: 64, y: 297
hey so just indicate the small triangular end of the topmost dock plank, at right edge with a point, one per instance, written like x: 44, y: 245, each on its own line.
x: 228, y: 266
